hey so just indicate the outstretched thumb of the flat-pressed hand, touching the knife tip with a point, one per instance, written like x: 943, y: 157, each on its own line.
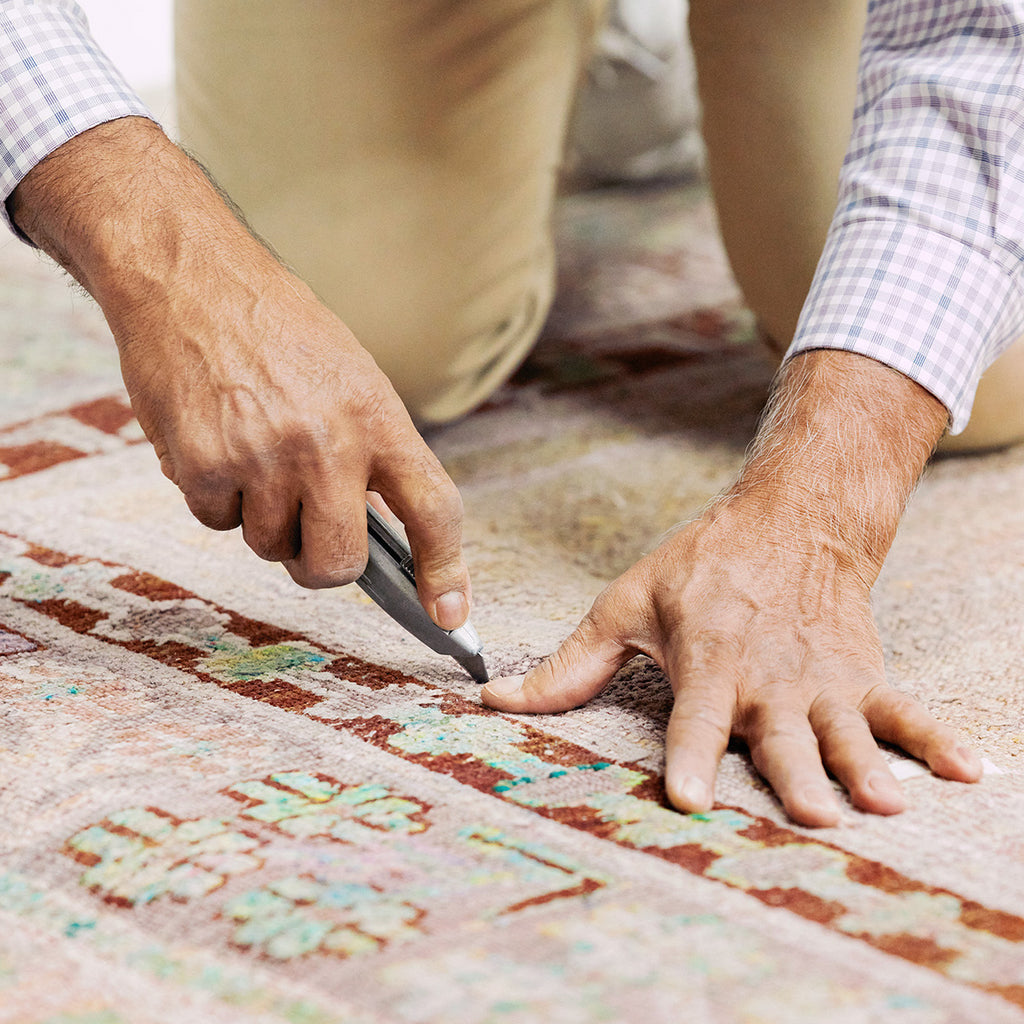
x: 578, y: 671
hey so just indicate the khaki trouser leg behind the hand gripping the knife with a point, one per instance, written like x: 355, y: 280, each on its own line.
x: 403, y: 157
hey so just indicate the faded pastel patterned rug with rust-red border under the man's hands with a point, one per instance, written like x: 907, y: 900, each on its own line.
x: 229, y: 800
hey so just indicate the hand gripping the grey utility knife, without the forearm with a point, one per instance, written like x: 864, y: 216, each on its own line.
x: 267, y: 413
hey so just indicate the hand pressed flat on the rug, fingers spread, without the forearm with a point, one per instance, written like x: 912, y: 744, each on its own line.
x: 763, y: 639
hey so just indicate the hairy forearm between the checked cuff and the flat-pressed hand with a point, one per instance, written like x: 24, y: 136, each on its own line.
x: 840, y: 450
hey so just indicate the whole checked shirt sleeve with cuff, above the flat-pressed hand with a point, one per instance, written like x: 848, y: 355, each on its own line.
x: 922, y: 268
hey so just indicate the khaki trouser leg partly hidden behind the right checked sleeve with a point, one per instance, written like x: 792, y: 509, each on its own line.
x: 778, y: 81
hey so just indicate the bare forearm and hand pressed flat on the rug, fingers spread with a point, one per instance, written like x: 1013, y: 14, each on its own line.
x: 759, y: 612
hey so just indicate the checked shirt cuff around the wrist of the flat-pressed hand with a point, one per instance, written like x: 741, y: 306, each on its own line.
x: 916, y: 300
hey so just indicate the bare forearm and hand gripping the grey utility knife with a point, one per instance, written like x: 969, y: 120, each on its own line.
x: 262, y: 406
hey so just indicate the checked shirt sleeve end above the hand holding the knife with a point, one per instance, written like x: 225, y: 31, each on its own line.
x: 55, y: 84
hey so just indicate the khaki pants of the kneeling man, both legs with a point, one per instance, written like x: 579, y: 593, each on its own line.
x: 403, y: 157
